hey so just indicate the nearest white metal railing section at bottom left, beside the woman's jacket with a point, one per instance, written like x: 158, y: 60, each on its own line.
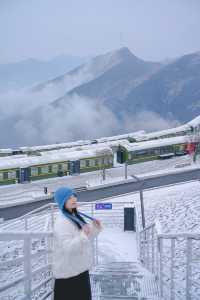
x: 25, y: 265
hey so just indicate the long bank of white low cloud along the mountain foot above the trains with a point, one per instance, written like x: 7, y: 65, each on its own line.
x: 77, y: 118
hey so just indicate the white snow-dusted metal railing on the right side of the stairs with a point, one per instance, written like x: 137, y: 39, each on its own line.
x: 175, y: 261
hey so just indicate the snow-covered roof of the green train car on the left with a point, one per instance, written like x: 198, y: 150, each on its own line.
x: 52, y: 157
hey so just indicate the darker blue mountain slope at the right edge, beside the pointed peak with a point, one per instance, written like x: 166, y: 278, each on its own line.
x: 174, y: 91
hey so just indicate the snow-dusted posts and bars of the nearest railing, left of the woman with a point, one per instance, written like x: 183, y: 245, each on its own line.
x: 28, y: 237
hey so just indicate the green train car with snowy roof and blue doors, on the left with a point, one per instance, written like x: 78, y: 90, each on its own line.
x: 20, y: 169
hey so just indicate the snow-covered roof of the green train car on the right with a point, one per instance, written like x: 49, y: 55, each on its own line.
x: 155, y: 143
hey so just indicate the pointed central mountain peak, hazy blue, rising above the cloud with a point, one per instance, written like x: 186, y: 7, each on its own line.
x: 123, y: 71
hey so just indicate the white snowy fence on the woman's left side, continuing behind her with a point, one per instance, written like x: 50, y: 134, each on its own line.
x: 26, y: 246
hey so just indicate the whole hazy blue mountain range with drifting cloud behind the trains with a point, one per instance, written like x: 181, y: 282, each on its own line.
x: 111, y: 94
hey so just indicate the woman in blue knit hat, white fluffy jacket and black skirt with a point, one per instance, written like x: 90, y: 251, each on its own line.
x: 72, y: 255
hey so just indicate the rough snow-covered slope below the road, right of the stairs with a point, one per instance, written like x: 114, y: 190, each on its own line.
x: 176, y: 207
